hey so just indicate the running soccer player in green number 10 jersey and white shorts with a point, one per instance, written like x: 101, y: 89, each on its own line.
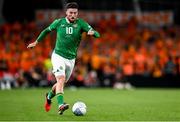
x: 69, y: 30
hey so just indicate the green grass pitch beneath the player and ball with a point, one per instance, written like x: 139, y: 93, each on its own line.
x: 102, y: 105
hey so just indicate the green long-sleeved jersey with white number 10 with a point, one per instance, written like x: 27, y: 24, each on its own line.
x: 68, y: 36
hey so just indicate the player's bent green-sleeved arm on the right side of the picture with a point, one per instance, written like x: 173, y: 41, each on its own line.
x: 90, y: 31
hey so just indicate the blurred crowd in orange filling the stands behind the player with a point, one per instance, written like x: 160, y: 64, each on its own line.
x: 121, y: 52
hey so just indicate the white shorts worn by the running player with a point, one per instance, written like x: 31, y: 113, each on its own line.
x: 62, y: 66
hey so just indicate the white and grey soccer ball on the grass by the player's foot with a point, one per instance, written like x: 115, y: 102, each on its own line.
x: 79, y: 108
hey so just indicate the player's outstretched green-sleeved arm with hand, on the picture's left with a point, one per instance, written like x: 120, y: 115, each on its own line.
x: 43, y: 34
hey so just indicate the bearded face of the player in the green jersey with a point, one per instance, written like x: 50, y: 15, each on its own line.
x: 72, y: 14
